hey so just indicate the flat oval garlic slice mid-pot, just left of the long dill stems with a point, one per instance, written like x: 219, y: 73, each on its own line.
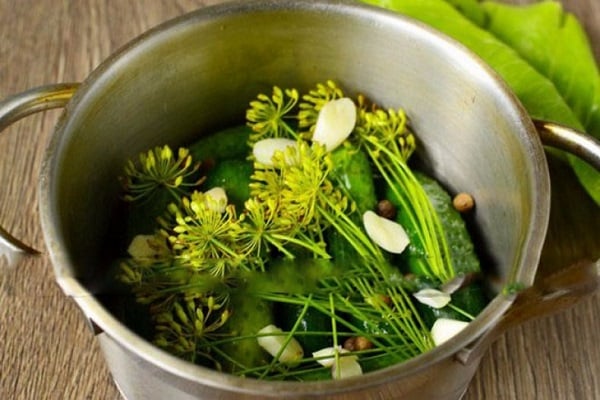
x: 387, y: 234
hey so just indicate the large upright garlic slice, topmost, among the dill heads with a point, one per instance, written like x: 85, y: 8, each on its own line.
x: 335, y: 122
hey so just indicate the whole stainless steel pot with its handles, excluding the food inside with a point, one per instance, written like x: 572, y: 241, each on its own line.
x: 196, y: 74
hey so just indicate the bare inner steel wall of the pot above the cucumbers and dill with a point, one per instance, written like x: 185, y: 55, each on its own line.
x: 198, y: 73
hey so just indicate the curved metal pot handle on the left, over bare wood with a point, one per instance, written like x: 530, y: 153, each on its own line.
x: 13, y: 109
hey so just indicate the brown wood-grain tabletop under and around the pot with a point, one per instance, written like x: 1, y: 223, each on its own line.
x: 47, y: 351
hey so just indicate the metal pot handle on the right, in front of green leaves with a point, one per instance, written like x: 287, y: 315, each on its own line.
x: 577, y: 143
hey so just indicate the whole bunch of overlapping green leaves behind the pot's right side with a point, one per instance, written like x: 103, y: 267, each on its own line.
x: 572, y: 100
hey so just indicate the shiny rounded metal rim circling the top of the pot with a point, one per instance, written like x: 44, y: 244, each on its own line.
x: 524, y: 273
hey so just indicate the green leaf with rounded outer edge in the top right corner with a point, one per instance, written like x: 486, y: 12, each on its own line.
x: 556, y: 45
